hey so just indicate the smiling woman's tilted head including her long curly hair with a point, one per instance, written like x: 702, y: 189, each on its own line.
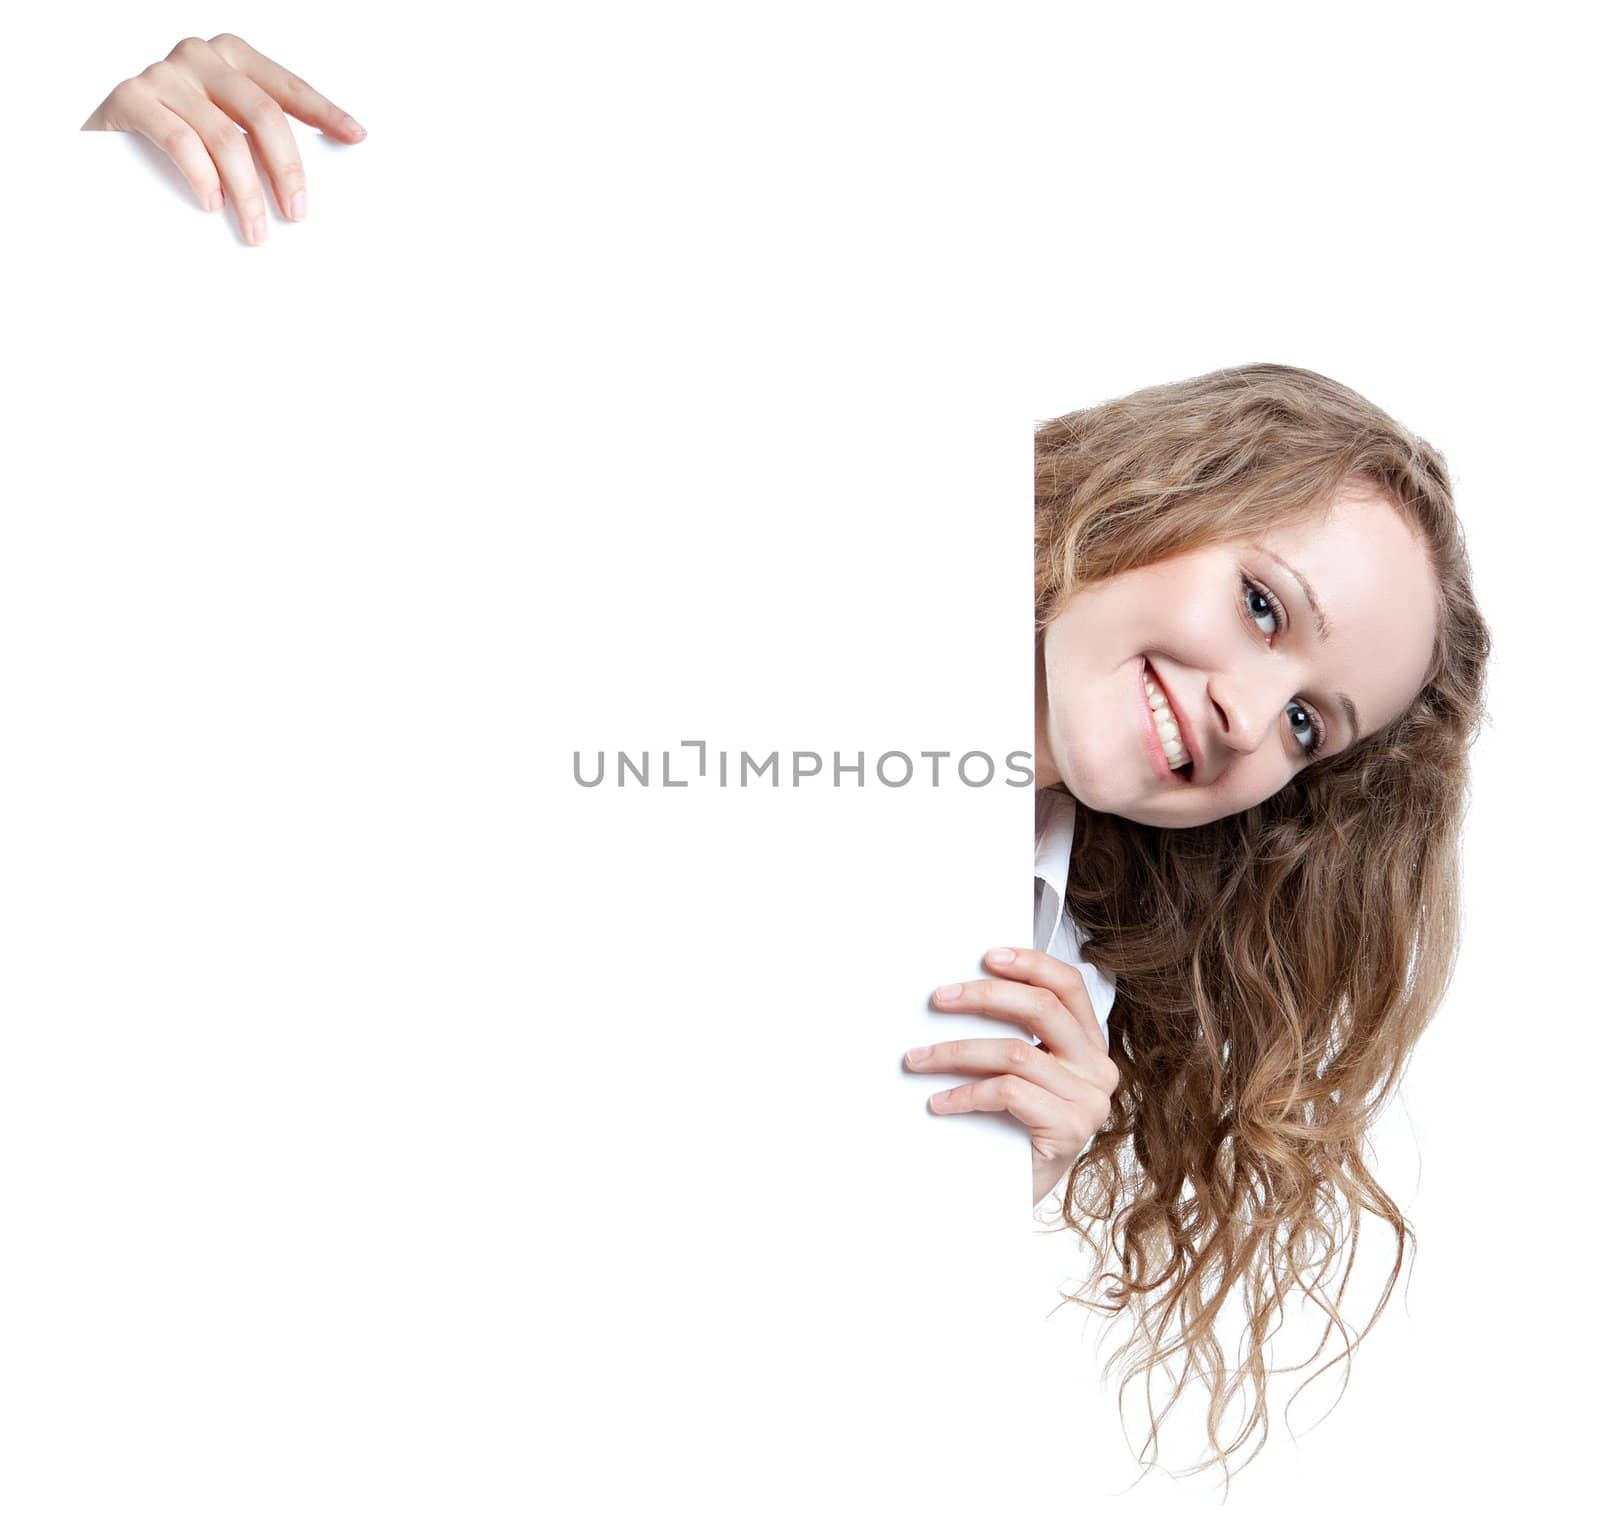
x: 1258, y: 673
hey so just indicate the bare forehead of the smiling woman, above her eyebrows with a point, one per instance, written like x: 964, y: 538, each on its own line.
x: 1374, y: 581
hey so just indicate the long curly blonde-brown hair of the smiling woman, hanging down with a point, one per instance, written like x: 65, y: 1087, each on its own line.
x: 1276, y: 968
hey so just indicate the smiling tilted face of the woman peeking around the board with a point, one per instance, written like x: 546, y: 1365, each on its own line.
x: 1249, y: 676
